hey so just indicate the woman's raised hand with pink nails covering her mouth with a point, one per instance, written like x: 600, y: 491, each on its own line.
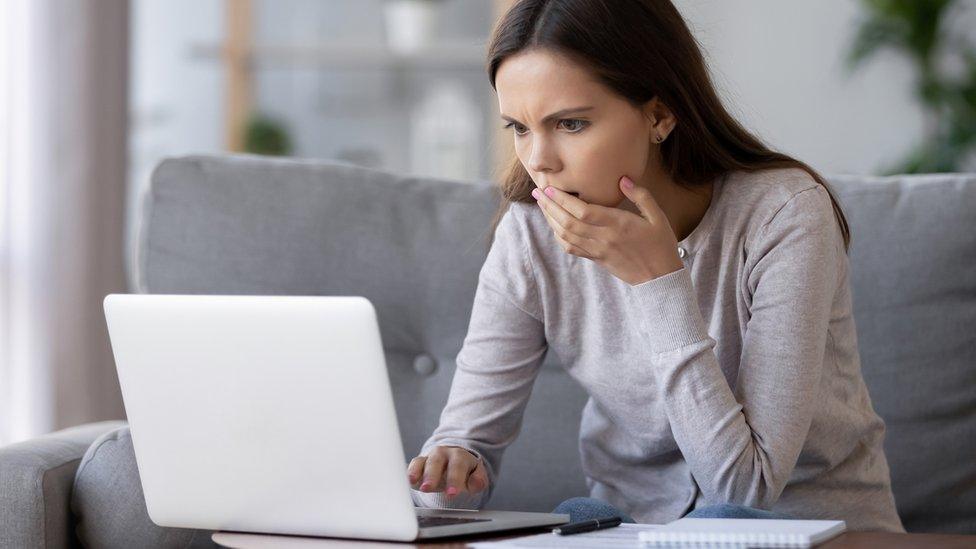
x: 634, y: 248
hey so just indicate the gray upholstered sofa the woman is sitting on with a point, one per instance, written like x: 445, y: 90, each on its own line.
x: 240, y: 224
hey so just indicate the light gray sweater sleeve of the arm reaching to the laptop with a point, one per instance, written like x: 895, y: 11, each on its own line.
x: 496, y: 366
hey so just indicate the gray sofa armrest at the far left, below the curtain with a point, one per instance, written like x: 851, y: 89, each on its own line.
x: 36, y: 478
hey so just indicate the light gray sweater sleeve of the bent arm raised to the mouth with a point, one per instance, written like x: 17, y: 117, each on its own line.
x: 742, y: 446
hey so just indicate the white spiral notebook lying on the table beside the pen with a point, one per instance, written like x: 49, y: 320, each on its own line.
x: 728, y: 533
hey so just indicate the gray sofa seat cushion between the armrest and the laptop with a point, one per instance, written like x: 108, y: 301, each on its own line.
x: 109, y: 505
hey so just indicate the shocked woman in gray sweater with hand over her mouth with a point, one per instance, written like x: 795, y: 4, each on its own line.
x: 692, y: 280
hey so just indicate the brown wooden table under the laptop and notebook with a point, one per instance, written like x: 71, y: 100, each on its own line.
x: 848, y: 540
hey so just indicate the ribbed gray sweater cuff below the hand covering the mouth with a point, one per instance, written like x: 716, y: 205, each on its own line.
x: 667, y: 311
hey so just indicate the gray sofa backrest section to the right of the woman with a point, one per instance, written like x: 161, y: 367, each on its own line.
x: 913, y: 282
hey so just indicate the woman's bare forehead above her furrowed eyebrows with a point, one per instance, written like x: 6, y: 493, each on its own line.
x: 534, y: 81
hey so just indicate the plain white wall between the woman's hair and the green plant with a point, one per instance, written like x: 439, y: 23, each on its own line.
x: 778, y: 65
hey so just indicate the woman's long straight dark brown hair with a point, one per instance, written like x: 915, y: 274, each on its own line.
x: 640, y: 49
